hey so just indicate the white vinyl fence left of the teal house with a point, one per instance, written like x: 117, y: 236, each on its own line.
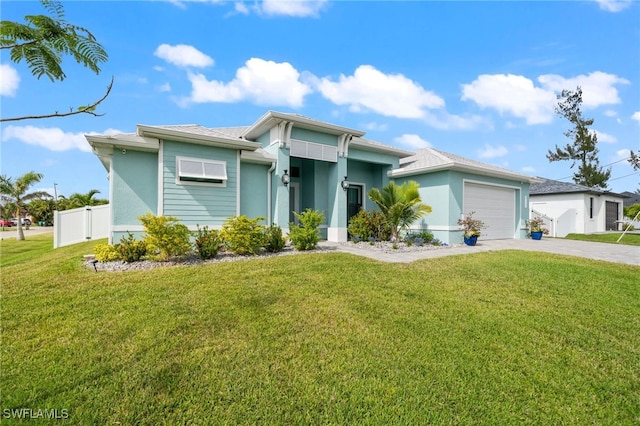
x: 80, y: 225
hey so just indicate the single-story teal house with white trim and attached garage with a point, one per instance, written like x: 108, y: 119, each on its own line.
x: 285, y: 163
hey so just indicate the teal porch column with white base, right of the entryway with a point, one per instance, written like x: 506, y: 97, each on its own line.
x: 337, y: 214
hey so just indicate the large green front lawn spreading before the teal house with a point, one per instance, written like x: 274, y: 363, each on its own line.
x: 501, y: 338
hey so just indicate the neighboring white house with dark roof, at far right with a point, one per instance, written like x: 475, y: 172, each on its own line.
x: 570, y: 208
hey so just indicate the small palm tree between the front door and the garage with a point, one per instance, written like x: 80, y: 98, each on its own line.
x: 400, y: 205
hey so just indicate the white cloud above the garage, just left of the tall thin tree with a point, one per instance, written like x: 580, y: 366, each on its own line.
x: 514, y: 94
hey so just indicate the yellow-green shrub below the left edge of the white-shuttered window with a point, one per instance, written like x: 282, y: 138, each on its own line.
x: 165, y: 236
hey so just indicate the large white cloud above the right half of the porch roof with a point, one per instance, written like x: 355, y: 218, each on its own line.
x: 387, y: 94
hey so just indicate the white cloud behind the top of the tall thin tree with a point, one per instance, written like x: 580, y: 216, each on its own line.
x: 598, y: 88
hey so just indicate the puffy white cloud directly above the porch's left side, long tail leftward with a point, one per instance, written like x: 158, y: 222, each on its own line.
x: 262, y: 82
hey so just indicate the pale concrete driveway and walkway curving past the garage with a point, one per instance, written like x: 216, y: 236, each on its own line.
x: 599, y: 251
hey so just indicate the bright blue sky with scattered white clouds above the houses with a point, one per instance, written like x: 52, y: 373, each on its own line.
x: 478, y: 79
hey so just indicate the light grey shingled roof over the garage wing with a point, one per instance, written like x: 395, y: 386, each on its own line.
x: 429, y: 160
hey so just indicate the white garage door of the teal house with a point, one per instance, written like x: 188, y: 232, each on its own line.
x: 495, y: 206
